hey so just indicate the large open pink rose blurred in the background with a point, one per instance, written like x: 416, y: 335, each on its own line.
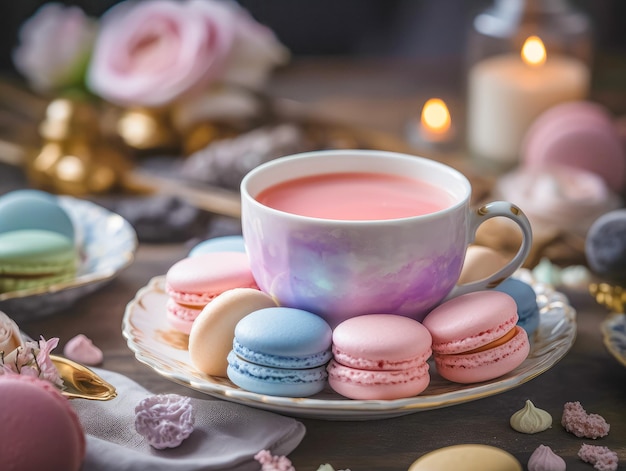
x: 154, y: 52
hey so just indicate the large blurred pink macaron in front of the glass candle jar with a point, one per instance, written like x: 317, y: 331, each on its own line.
x: 578, y: 134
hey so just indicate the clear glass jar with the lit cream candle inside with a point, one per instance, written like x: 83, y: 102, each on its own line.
x: 524, y: 56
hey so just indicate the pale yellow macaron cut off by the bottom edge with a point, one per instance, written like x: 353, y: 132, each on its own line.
x: 468, y: 457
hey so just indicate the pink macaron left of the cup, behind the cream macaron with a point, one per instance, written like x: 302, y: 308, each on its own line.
x: 191, y: 283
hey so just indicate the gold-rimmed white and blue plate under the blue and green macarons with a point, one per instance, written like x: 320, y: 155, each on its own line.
x: 107, y: 245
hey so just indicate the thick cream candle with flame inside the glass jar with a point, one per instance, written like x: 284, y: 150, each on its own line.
x: 506, y: 93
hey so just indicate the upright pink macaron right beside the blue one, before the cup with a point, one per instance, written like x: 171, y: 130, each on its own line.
x: 379, y: 356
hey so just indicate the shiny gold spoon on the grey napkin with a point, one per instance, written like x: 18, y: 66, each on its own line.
x: 80, y: 382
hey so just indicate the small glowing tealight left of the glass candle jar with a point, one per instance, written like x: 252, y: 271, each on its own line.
x: 435, y: 125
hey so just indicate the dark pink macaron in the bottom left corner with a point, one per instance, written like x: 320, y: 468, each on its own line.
x: 40, y: 429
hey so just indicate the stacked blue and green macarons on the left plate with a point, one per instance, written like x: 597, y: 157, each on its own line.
x: 38, y: 245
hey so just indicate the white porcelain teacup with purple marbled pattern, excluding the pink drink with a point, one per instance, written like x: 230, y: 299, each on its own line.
x: 341, y: 269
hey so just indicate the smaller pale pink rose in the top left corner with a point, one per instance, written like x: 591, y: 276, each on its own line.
x: 54, y: 47
